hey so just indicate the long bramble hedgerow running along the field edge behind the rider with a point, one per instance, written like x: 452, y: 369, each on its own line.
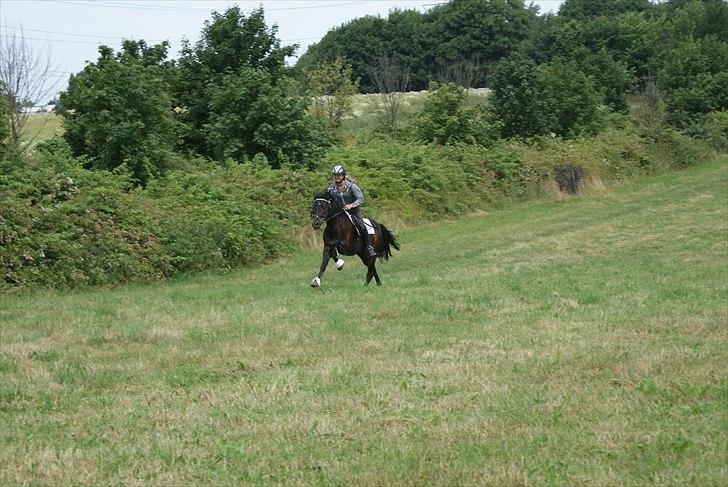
x: 62, y: 225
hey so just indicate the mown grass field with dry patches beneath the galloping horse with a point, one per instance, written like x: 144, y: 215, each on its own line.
x: 574, y: 342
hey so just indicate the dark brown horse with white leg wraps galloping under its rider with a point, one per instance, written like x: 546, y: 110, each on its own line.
x: 341, y: 237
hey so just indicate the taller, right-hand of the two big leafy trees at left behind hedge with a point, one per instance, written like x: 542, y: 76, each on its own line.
x: 234, y: 52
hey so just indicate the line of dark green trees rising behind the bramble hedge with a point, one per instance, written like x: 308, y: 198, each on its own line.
x: 230, y: 96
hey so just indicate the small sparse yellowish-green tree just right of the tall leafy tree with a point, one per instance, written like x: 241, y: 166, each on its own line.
x: 332, y: 89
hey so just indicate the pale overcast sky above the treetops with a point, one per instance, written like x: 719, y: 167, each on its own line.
x: 70, y: 31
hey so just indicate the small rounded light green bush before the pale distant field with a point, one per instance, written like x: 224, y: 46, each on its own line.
x: 445, y: 120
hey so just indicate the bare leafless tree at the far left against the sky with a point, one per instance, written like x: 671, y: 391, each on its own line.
x: 27, y: 75
